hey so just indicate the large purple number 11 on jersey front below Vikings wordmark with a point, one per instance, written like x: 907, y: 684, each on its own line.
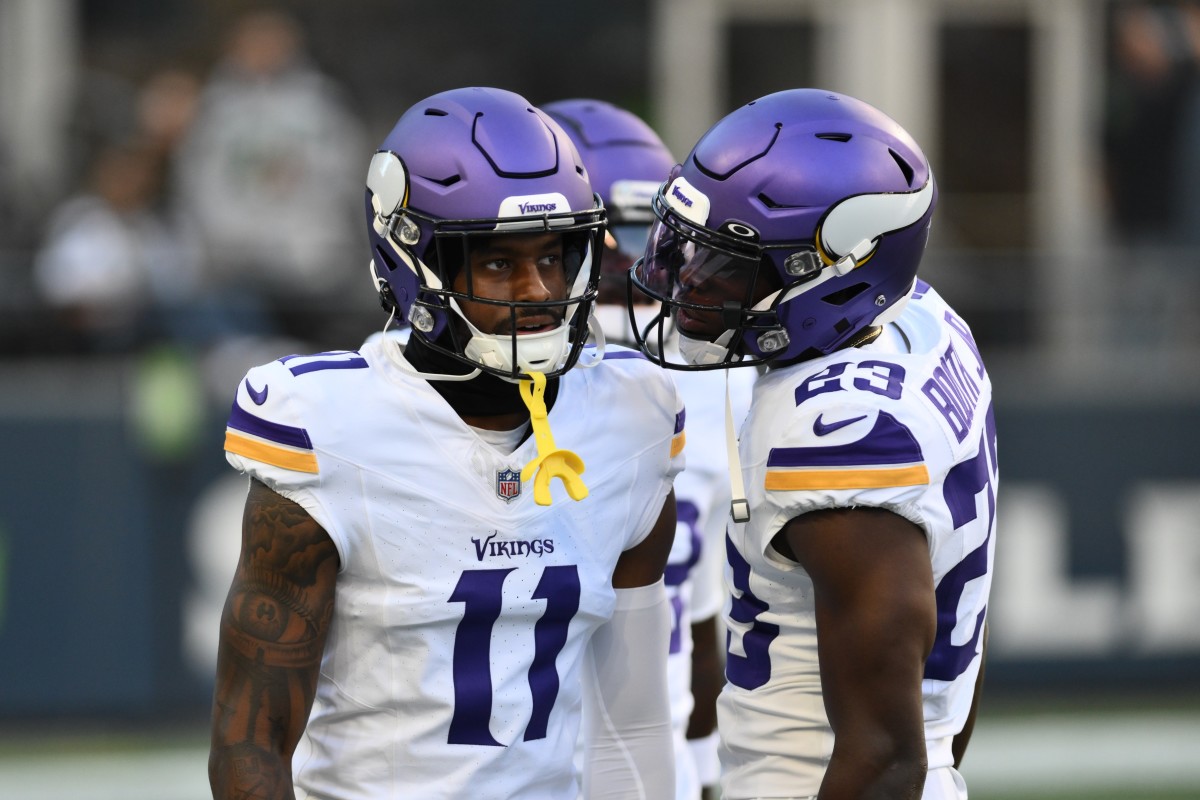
x: 481, y: 592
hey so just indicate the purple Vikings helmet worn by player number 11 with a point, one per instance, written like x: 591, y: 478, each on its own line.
x: 460, y: 169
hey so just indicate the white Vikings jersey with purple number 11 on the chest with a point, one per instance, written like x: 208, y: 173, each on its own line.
x: 464, y: 609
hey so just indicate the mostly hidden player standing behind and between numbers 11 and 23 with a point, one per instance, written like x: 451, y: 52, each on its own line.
x: 628, y: 163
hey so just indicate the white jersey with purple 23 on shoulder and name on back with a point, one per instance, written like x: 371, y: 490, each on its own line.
x: 903, y: 424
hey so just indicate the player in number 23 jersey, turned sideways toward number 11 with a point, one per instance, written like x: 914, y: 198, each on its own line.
x: 861, y: 561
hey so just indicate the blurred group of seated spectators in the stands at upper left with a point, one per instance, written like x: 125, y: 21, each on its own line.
x: 207, y: 209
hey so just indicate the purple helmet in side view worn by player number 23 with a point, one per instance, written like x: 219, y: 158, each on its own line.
x: 796, y: 222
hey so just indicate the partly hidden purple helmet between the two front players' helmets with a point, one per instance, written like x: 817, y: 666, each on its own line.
x: 628, y: 164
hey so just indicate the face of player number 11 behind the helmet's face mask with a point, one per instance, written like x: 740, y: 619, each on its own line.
x: 523, y: 268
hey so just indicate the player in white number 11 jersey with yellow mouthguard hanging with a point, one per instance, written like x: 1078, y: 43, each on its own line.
x: 421, y: 610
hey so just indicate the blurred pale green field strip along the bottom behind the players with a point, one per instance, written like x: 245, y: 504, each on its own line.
x: 1096, y: 751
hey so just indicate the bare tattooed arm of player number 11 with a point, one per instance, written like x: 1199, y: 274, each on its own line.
x: 273, y: 635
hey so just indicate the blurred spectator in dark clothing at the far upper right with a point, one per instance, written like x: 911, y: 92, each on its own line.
x: 1153, y: 169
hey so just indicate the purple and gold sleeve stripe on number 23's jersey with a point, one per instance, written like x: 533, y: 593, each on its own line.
x: 889, y: 455
